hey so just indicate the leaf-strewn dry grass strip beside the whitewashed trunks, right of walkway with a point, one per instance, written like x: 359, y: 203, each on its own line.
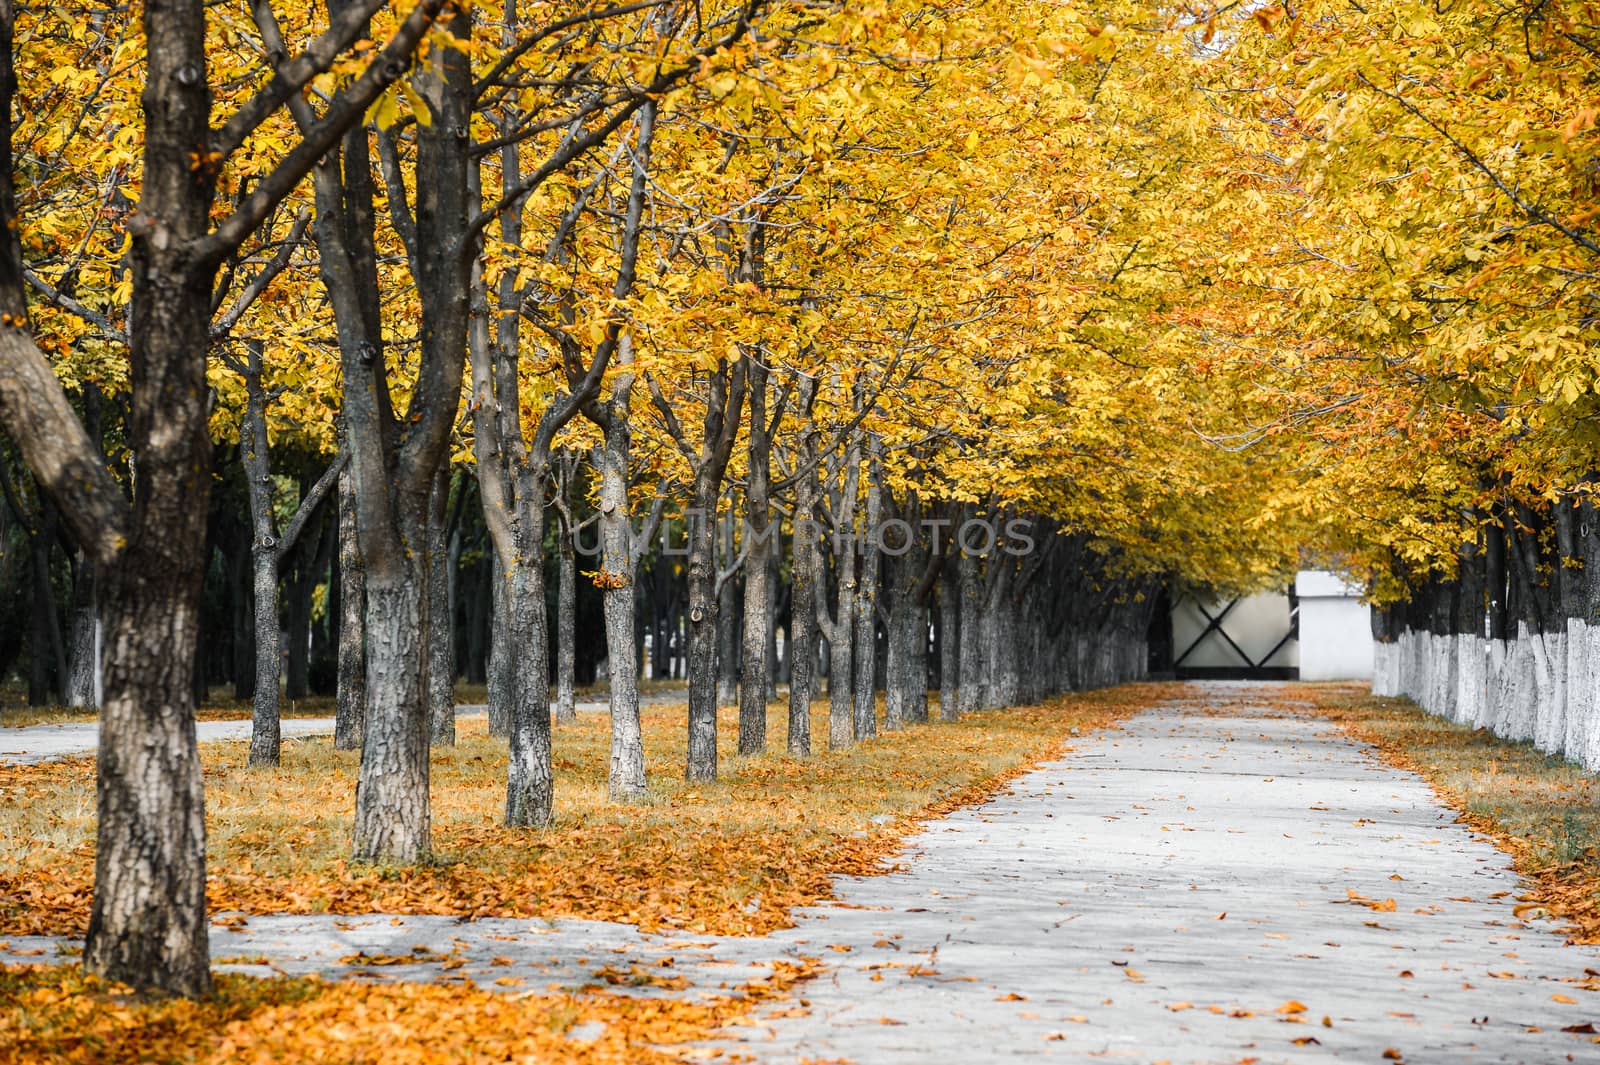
x: 1542, y: 810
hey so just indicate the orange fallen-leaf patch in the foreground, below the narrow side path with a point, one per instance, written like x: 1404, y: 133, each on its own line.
x: 60, y: 1016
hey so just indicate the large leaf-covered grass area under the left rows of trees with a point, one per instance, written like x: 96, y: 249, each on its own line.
x: 734, y: 856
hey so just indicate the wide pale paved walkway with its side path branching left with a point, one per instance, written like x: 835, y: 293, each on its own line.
x: 1193, y: 888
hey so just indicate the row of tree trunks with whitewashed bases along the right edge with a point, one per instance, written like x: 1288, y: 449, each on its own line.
x: 1511, y: 642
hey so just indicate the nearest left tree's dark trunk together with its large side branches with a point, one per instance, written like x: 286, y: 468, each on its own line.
x: 148, y: 925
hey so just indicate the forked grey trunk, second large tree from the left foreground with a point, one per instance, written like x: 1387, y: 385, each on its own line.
x: 394, y: 473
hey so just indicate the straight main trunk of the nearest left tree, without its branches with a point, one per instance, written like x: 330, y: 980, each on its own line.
x: 148, y: 927
